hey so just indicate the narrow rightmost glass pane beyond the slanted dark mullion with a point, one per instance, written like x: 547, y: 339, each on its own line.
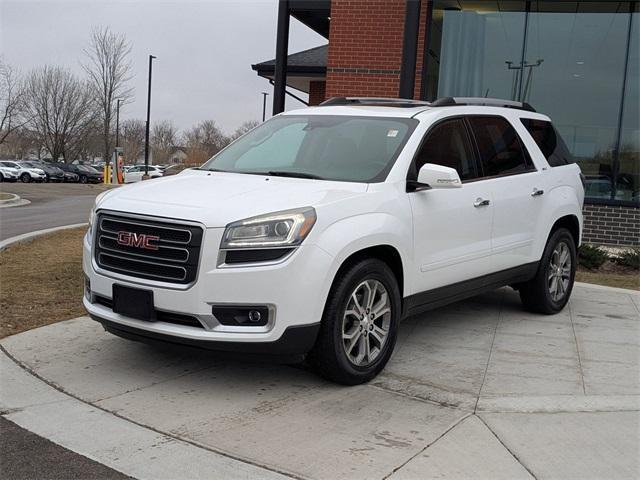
x: 628, y: 181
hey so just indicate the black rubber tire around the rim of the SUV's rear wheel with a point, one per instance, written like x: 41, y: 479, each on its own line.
x: 536, y: 294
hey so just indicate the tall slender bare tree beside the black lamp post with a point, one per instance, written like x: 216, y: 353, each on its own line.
x: 109, y: 71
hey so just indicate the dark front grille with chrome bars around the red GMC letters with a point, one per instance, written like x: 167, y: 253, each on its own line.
x: 171, y: 256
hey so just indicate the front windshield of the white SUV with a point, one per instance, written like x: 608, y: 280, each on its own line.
x: 344, y: 148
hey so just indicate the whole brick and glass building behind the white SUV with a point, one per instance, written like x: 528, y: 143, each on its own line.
x: 577, y: 61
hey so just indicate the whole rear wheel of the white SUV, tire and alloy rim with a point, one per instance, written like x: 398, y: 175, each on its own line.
x: 549, y: 291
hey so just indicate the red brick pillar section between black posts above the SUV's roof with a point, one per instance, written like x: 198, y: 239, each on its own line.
x: 365, y: 48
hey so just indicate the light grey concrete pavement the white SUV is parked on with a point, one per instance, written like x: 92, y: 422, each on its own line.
x: 479, y: 389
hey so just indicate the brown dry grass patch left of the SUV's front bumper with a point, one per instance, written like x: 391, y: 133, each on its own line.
x: 41, y: 282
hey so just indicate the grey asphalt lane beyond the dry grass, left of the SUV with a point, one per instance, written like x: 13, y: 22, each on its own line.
x: 52, y: 205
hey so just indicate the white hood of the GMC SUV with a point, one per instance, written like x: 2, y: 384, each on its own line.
x: 217, y: 199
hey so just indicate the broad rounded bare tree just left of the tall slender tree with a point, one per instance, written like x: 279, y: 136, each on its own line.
x: 61, y: 110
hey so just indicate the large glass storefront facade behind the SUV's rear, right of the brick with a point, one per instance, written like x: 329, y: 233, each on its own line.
x: 571, y: 68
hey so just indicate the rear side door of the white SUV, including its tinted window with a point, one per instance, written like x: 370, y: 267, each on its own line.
x: 516, y: 189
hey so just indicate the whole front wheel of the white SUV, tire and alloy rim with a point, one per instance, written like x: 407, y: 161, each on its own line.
x: 359, y: 324
